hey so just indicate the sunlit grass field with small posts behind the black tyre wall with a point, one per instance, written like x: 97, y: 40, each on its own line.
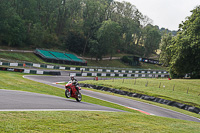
x: 181, y: 90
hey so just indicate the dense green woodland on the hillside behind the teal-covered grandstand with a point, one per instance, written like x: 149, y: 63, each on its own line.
x: 92, y: 27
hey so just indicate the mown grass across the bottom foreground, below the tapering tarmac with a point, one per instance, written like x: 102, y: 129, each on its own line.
x: 92, y: 122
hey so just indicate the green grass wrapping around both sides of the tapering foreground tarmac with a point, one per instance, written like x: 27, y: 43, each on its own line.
x: 85, y: 121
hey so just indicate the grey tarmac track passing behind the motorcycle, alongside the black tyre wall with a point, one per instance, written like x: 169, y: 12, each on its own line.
x: 152, y: 109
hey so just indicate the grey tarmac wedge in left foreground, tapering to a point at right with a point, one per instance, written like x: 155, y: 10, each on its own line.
x: 11, y: 100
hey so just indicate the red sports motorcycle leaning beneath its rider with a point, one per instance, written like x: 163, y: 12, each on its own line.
x: 72, y: 92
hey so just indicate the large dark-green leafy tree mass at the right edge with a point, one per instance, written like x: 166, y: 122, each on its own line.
x: 181, y: 53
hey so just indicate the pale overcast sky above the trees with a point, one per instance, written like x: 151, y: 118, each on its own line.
x: 165, y: 13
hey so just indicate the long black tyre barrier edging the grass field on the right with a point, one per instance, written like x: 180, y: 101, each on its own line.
x: 145, y: 97
